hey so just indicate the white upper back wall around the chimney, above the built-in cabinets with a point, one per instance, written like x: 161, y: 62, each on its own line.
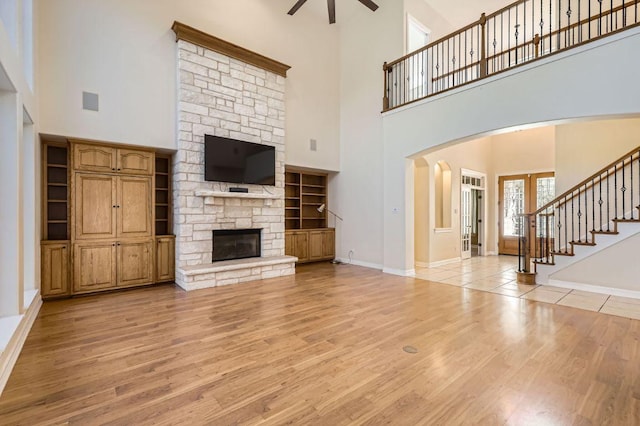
x: 125, y: 51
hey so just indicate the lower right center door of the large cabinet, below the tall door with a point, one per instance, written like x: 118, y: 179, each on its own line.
x: 135, y: 263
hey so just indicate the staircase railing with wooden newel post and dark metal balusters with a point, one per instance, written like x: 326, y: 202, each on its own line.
x: 594, y: 206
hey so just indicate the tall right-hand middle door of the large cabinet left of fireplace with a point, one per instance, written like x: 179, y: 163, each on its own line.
x: 134, y: 207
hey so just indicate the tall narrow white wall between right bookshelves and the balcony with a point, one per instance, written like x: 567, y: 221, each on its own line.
x: 366, y: 41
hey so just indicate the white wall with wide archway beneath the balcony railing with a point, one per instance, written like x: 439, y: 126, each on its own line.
x: 535, y: 93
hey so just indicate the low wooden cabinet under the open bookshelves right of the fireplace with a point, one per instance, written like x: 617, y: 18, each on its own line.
x: 311, y: 245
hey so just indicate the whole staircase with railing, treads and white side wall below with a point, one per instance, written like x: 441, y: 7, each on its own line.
x: 588, y: 236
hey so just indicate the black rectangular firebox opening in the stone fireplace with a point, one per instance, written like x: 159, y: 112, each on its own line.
x: 229, y: 244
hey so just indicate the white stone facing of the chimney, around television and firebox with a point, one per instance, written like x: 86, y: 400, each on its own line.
x: 225, y: 97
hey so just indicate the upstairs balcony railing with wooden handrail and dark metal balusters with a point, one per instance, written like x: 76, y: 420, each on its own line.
x: 514, y: 35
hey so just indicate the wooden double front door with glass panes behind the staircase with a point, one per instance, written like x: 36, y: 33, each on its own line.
x: 520, y: 194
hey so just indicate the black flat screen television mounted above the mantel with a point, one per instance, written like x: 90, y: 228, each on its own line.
x: 234, y: 161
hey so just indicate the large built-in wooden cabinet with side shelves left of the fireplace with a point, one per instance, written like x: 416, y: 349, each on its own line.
x: 108, y: 199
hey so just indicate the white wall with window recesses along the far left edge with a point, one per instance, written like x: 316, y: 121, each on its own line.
x: 19, y: 211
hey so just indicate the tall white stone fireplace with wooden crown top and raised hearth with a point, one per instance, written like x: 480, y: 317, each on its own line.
x: 221, y: 95
